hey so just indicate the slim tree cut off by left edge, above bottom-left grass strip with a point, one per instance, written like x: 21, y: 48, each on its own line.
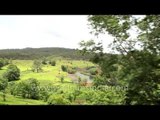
x: 3, y: 86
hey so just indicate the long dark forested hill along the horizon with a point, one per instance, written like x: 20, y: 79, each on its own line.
x: 36, y: 53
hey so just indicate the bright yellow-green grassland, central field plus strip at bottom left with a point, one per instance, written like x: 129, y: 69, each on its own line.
x: 50, y: 75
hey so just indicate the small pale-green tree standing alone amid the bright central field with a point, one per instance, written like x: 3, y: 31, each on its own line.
x: 37, y: 66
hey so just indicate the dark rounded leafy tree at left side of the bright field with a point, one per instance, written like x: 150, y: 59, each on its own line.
x: 12, y: 73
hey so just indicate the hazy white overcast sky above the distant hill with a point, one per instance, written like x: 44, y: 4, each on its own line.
x: 23, y: 31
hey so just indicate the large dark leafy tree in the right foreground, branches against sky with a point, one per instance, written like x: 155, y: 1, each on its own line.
x: 139, y: 65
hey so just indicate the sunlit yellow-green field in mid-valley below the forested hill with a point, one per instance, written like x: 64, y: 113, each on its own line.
x: 50, y: 74
